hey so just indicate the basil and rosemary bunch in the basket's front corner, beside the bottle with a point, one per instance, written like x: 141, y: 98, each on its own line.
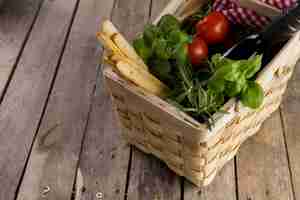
x: 202, y: 94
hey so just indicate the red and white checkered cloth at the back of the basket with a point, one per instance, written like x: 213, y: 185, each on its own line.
x: 239, y: 15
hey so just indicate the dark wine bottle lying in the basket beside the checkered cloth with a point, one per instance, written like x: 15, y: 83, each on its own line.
x: 279, y: 31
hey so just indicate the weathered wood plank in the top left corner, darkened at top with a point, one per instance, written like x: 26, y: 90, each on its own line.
x: 16, y: 18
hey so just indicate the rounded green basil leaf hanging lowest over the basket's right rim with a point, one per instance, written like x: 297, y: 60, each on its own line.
x: 253, y: 95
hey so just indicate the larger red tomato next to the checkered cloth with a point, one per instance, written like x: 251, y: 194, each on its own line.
x: 213, y: 28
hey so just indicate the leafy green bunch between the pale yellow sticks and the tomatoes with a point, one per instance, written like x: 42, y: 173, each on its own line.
x: 160, y: 45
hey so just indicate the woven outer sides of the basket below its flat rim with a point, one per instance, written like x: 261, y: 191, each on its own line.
x: 154, y: 131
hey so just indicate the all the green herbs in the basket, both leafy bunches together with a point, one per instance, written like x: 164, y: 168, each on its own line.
x: 197, y: 92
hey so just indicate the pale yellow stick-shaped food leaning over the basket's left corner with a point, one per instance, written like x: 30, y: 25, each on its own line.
x: 122, y: 56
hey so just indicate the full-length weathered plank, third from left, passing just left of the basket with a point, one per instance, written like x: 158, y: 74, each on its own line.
x: 54, y: 158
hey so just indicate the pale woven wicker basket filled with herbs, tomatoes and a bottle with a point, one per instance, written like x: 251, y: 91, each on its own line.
x: 188, y: 147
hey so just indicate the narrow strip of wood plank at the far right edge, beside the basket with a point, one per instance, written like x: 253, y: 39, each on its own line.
x: 291, y: 114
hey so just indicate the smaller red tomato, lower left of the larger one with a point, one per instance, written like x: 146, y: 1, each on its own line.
x: 197, y: 51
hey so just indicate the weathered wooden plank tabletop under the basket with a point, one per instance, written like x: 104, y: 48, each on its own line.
x: 58, y: 136
